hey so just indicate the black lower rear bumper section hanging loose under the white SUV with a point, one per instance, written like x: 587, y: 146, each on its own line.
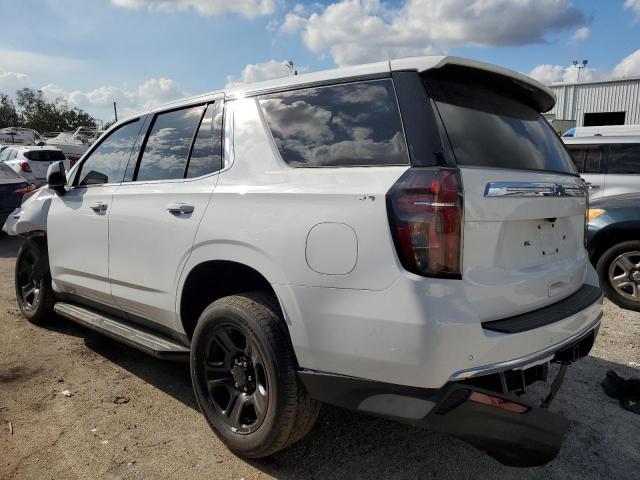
x: 483, y: 411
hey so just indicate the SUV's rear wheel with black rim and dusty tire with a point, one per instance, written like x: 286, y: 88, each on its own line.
x: 244, y: 376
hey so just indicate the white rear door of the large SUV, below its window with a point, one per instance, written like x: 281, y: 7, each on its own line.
x: 152, y: 228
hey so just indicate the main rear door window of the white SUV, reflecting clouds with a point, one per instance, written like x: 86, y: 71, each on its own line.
x: 167, y: 148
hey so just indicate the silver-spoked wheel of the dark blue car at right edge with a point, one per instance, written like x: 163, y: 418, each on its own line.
x: 621, y: 264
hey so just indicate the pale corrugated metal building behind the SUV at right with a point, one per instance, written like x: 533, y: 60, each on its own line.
x: 609, y: 102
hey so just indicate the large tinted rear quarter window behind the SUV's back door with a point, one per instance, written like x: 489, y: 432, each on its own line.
x: 339, y: 125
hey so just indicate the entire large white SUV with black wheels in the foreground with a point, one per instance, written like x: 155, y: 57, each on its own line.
x: 403, y: 238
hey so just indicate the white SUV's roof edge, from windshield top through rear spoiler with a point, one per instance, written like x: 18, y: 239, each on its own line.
x: 419, y: 64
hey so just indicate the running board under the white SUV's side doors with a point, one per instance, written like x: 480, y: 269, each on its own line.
x: 133, y: 335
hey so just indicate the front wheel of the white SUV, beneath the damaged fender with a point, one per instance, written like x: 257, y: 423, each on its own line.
x: 33, y: 281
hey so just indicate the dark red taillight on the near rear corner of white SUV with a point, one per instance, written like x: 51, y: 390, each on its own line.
x: 425, y: 213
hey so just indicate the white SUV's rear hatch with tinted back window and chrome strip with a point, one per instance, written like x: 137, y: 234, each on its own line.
x: 524, y: 203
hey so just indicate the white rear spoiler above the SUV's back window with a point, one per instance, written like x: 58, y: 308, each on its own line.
x: 542, y: 98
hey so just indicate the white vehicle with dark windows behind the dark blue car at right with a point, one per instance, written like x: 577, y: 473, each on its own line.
x: 609, y: 165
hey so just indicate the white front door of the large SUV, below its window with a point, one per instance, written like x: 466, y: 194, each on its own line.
x: 78, y: 232
